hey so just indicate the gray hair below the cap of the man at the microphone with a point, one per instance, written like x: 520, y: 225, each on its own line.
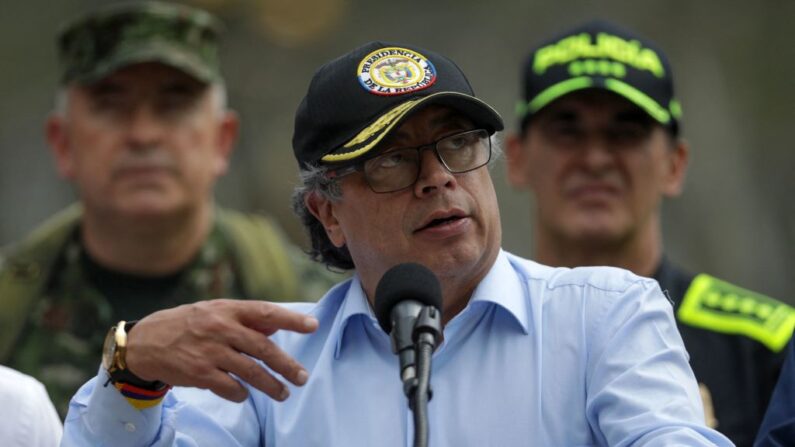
x: 314, y: 180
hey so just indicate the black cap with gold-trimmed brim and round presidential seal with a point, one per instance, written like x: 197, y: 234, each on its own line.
x: 356, y: 100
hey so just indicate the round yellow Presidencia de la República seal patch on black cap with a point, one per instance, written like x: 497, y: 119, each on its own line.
x: 395, y: 71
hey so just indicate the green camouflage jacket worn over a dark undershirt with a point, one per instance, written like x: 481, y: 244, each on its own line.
x: 53, y: 320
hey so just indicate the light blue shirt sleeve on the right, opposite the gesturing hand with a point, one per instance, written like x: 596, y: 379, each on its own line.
x: 640, y: 388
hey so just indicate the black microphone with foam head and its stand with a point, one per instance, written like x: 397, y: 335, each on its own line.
x: 408, y: 303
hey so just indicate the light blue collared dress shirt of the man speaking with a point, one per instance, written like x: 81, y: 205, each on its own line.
x: 539, y: 357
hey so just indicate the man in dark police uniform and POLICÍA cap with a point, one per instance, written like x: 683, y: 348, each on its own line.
x: 599, y: 147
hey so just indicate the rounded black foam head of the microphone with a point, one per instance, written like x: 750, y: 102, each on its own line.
x: 407, y: 281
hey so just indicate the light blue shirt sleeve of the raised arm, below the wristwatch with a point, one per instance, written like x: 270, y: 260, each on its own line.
x: 100, y: 416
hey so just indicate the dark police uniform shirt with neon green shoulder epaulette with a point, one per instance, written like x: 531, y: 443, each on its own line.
x: 734, y: 345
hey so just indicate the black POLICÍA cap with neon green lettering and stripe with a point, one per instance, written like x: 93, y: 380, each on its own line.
x: 600, y: 55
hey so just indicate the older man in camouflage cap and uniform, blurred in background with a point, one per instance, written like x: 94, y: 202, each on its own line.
x: 142, y: 130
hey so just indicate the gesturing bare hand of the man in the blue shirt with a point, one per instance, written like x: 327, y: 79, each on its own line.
x: 200, y: 344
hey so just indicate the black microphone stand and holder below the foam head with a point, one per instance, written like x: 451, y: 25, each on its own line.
x: 427, y: 333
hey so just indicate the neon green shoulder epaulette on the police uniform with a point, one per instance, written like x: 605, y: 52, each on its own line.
x: 722, y: 307
